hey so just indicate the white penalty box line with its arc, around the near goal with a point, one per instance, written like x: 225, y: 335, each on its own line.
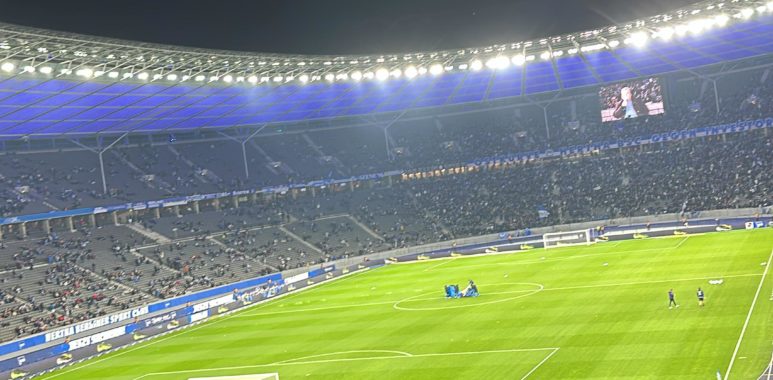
x: 398, y: 355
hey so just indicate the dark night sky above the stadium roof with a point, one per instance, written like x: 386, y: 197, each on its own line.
x: 328, y: 26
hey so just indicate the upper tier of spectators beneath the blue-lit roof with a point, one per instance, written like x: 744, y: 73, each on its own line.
x: 33, y: 182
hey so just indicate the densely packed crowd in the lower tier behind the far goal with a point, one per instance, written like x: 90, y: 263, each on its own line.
x: 670, y: 178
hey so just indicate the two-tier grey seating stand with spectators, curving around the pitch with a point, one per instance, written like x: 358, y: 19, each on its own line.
x: 72, y: 273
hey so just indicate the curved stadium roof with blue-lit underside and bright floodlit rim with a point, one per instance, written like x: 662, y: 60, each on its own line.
x: 54, y: 83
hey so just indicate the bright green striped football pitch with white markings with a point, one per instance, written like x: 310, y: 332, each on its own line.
x: 588, y: 312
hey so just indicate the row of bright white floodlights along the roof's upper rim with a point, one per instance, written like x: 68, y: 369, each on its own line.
x: 87, y: 57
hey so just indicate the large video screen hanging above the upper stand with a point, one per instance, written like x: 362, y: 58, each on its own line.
x: 631, y: 99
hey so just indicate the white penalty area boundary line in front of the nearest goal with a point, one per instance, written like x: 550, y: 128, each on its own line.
x: 412, y: 356
